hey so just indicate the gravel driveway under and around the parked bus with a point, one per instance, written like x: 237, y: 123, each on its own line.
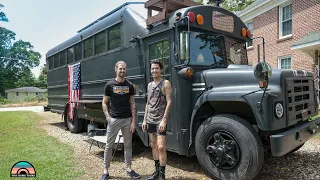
x: 303, y: 164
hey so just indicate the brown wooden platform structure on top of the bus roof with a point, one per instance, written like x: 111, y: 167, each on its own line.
x: 165, y: 7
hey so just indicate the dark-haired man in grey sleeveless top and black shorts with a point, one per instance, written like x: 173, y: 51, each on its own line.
x: 156, y: 116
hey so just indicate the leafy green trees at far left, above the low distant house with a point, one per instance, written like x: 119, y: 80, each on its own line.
x: 17, y: 58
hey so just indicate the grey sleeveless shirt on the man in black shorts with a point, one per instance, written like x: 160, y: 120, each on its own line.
x: 156, y: 103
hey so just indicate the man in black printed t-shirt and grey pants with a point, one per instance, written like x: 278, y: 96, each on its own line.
x: 121, y: 115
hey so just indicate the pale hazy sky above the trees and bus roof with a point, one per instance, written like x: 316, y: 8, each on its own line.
x: 45, y: 23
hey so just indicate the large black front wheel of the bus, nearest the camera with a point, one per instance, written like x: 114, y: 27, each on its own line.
x: 227, y: 147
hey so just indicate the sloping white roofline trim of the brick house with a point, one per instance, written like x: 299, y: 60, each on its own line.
x: 260, y: 9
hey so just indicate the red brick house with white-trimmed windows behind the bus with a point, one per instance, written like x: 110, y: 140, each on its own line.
x: 291, y: 29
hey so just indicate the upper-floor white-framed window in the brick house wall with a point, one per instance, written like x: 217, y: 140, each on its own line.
x: 285, y: 24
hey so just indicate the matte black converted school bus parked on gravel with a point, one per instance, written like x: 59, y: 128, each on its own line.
x: 224, y: 111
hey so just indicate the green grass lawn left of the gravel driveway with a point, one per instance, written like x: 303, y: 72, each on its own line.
x: 21, y: 139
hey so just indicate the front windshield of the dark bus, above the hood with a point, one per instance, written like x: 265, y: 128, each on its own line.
x: 207, y: 49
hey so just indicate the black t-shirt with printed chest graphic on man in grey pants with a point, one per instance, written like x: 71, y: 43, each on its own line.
x: 119, y: 94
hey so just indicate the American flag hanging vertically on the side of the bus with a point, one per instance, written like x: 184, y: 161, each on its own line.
x: 73, y: 87
